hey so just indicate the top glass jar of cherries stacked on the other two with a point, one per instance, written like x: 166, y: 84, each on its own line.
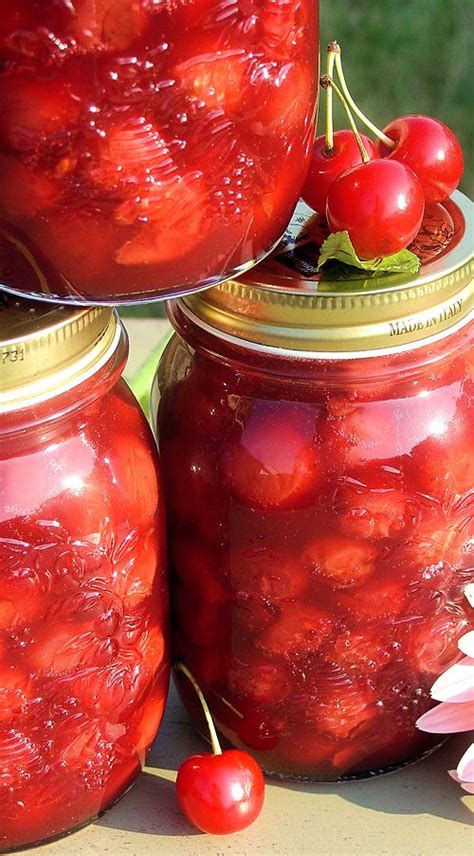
x: 171, y: 138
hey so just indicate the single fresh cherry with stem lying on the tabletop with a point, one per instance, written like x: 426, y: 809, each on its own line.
x: 223, y: 792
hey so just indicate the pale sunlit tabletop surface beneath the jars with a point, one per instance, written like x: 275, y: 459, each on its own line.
x: 417, y: 811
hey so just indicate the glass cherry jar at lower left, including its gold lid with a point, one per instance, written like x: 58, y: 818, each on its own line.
x: 84, y: 663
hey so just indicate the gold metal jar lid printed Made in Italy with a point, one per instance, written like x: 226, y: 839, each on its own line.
x: 284, y: 305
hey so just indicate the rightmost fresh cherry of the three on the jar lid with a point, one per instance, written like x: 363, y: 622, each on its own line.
x: 430, y: 149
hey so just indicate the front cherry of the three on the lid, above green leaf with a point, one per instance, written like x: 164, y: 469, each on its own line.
x: 380, y: 204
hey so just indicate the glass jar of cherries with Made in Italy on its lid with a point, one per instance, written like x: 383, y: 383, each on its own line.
x: 317, y: 442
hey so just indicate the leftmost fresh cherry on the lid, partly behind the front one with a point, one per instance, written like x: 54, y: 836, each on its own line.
x: 327, y: 164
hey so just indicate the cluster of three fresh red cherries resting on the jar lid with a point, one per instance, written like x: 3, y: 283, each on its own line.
x: 381, y: 202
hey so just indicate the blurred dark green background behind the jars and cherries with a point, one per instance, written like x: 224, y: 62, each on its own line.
x: 400, y: 56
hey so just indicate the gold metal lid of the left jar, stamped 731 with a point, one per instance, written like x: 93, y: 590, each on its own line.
x: 46, y: 349
